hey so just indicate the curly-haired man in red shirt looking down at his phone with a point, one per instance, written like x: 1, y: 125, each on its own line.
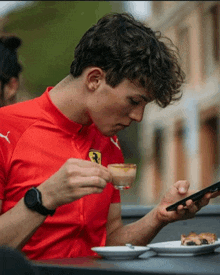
x: 51, y: 142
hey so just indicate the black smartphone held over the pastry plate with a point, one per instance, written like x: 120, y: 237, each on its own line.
x: 196, y: 196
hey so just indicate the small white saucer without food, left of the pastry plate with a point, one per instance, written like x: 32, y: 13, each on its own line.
x: 120, y: 252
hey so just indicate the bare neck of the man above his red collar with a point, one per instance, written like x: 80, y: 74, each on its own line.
x: 67, y: 97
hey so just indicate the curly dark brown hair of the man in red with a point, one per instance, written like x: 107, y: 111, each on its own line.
x: 126, y: 49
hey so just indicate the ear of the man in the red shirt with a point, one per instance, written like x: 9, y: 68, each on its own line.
x: 94, y: 77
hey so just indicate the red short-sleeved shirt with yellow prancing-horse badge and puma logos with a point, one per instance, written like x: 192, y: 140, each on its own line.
x: 36, y: 139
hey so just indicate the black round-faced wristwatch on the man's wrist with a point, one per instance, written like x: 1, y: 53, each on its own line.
x: 33, y: 201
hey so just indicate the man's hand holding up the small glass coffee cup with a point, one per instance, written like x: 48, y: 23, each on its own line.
x: 74, y: 180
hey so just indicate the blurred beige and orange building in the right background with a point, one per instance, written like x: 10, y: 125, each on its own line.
x: 182, y: 140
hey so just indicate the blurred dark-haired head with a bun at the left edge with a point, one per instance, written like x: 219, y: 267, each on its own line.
x: 9, y: 69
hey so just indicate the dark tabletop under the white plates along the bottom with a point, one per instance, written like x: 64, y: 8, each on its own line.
x: 147, y: 263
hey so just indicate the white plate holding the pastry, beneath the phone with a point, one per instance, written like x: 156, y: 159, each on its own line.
x: 174, y: 248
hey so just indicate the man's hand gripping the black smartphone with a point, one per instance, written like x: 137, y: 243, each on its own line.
x: 177, y: 192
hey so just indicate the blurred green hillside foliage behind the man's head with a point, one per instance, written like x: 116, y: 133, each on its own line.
x: 50, y: 30
